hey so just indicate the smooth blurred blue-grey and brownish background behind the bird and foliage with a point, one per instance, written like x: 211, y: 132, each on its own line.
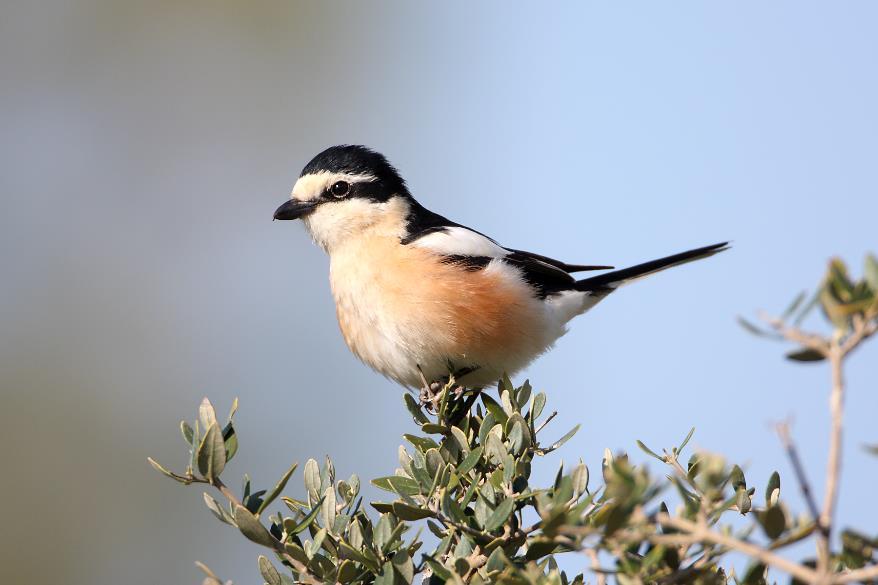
x: 146, y: 144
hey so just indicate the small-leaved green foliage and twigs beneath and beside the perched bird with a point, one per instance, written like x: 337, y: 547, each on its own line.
x: 465, y: 475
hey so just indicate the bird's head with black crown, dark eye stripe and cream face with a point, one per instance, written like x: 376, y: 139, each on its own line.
x: 346, y: 192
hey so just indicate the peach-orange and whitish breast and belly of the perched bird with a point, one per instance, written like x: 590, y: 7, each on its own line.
x: 400, y: 307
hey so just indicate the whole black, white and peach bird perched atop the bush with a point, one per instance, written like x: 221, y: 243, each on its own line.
x: 420, y: 298
